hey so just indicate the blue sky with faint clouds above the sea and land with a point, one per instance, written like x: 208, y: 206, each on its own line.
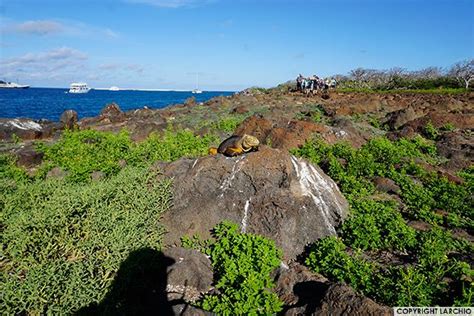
x: 232, y: 44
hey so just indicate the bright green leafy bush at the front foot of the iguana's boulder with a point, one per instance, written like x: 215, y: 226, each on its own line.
x: 242, y: 266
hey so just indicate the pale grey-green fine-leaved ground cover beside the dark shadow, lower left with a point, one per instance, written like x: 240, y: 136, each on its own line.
x: 62, y: 242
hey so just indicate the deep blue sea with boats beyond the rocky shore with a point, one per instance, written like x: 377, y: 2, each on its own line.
x: 49, y: 103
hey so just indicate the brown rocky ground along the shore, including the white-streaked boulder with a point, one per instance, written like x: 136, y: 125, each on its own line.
x: 271, y: 192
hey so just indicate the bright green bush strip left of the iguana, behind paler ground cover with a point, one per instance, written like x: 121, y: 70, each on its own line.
x: 82, y: 152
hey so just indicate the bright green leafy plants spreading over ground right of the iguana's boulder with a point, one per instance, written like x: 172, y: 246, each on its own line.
x: 435, y: 269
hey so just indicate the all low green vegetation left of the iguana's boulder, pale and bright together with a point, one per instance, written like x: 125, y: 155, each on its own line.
x: 63, y: 240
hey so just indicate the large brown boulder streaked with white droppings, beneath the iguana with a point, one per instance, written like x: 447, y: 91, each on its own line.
x: 268, y: 192
